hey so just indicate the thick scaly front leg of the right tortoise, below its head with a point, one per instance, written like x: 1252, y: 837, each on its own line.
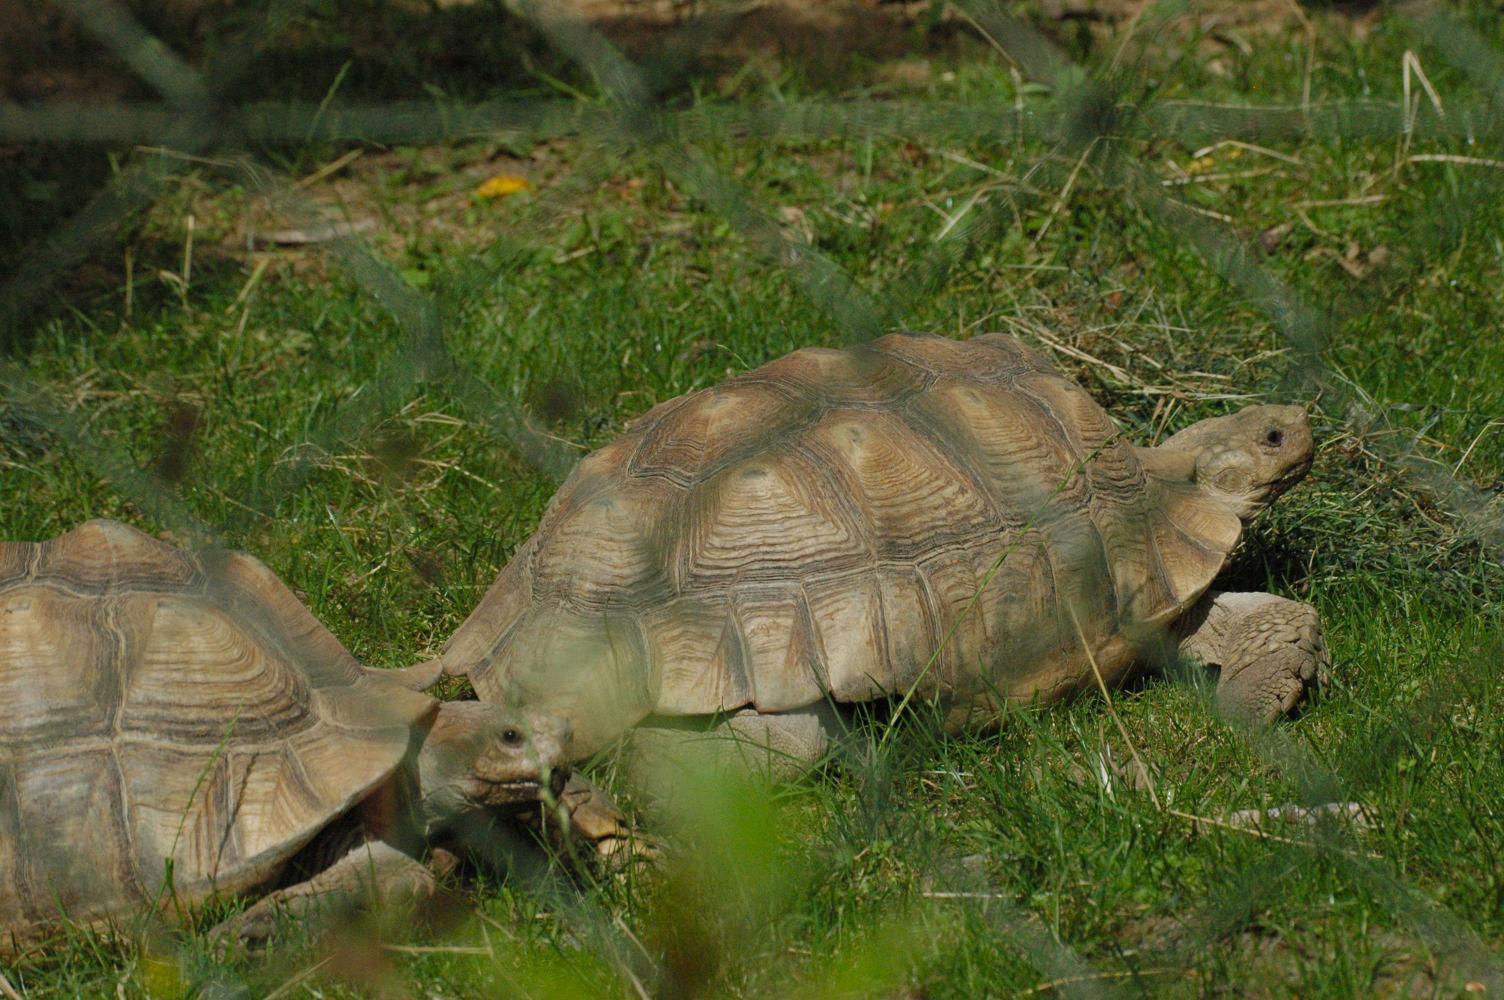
x: 1270, y: 650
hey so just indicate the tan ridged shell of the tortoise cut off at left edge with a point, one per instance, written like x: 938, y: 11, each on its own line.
x: 169, y: 718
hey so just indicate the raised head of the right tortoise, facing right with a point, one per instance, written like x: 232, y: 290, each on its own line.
x: 1249, y: 458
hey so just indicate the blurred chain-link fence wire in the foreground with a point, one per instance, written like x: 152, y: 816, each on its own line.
x: 1087, y: 118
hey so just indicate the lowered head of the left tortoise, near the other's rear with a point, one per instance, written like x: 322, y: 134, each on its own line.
x: 479, y: 757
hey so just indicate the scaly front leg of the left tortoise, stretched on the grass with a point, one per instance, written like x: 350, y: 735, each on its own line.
x: 371, y: 871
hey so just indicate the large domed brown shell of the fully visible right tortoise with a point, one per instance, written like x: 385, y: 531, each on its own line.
x: 951, y: 518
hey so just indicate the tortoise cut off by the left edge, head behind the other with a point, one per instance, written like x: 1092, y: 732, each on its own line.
x: 180, y: 729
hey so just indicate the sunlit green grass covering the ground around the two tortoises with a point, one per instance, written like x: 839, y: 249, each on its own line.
x: 291, y: 410
